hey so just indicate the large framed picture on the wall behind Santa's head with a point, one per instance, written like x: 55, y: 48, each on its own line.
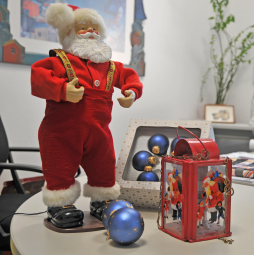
x: 25, y: 36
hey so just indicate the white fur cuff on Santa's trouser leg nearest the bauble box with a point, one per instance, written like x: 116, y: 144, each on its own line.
x: 101, y: 193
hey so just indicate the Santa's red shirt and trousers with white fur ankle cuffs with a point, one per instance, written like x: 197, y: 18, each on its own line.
x: 73, y: 134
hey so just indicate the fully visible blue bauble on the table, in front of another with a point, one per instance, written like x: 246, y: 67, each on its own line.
x: 125, y: 226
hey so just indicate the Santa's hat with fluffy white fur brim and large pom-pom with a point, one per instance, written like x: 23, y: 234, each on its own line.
x: 63, y: 17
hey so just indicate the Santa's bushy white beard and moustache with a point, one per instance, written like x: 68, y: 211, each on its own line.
x: 93, y: 49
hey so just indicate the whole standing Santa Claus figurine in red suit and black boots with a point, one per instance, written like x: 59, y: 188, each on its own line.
x: 75, y: 128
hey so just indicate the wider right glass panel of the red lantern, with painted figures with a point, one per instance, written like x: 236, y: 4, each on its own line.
x: 211, y: 201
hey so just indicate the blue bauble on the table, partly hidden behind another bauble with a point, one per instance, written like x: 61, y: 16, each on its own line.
x: 111, y: 208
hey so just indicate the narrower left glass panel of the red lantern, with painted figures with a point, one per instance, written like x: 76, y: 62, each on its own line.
x: 172, y: 191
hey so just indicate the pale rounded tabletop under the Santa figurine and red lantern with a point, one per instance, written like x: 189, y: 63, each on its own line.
x: 30, y: 237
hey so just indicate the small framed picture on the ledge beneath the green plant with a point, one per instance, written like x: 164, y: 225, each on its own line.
x: 219, y: 113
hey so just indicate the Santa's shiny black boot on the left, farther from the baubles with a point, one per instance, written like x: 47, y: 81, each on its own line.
x: 65, y: 216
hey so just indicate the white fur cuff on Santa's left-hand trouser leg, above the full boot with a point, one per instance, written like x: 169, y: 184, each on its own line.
x: 53, y: 198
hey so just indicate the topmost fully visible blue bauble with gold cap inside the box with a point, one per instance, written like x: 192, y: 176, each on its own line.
x: 158, y: 144
